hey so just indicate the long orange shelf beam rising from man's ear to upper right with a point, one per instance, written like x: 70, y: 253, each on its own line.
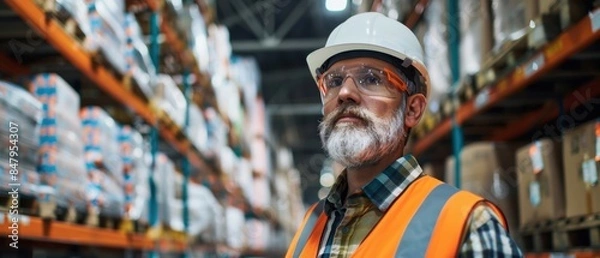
x: 568, y: 43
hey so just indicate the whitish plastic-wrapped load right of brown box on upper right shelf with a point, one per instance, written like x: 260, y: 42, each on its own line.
x: 509, y: 21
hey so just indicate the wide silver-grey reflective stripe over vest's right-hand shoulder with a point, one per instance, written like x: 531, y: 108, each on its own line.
x: 418, y: 233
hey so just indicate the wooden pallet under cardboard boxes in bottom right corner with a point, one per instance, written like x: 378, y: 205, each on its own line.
x: 562, y: 234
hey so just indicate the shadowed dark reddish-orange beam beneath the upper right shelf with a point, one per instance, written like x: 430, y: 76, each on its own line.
x: 546, y: 113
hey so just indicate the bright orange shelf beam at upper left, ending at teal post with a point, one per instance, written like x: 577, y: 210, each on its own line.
x: 74, y: 52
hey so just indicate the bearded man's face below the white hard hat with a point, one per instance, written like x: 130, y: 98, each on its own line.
x: 359, y: 129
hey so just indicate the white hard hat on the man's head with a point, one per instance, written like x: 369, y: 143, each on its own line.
x: 375, y: 32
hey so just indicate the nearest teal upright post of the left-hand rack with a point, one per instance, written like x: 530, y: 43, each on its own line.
x: 155, y: 55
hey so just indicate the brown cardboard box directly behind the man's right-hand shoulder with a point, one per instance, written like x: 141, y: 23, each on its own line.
x: 488, y: 170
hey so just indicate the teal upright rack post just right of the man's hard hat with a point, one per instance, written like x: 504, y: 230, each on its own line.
x: 454, y: 59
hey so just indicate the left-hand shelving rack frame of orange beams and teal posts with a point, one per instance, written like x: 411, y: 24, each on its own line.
x: 38, y: 229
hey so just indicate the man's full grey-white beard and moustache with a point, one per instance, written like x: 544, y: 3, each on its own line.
x: 355, y: 146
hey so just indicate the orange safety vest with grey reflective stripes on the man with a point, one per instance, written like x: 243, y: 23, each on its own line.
x: 428, y: 220
